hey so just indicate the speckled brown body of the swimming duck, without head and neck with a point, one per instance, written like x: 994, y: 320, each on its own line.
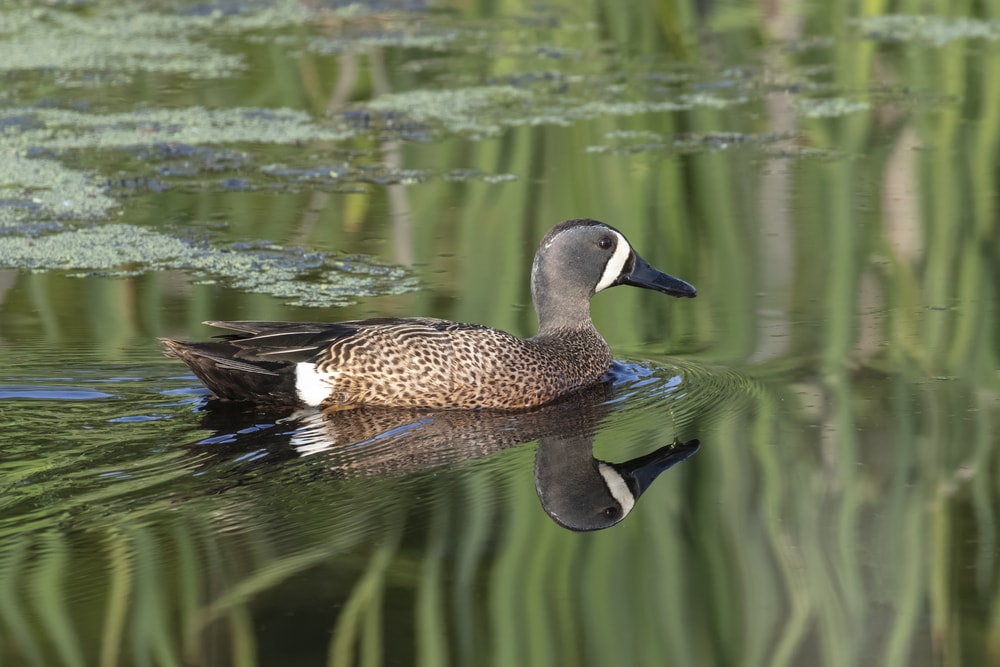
x: 403, y: 362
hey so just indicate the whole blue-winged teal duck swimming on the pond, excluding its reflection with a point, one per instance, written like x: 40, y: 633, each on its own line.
x: 410, y: 362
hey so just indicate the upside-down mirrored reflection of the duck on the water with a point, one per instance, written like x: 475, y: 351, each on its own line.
x: 576, y: 490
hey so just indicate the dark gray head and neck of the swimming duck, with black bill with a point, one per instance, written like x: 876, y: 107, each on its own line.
x: 578, y: 258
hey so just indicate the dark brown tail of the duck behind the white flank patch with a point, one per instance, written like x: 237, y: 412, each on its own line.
x: 228, y: 372
